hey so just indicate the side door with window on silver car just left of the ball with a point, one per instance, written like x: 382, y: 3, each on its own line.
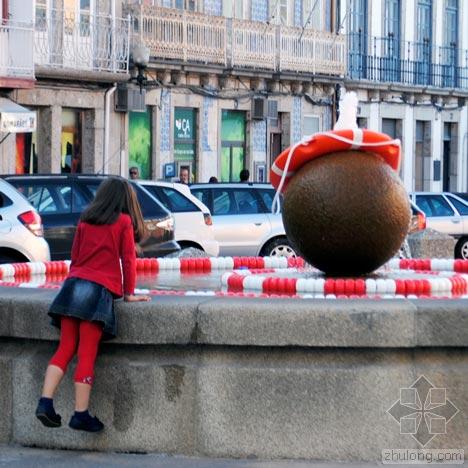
x: 239, y: 221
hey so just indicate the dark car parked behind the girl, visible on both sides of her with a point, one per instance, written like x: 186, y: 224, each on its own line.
x: 60, y: 199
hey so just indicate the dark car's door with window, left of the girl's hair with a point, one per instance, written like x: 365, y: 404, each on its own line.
x: 53, y: 200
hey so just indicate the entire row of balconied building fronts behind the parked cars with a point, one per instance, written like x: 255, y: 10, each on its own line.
x: 229, y: 84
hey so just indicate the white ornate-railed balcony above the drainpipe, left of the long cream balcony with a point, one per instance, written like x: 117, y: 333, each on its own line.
x: 89, y: 43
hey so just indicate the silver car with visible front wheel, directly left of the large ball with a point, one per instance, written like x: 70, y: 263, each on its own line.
x: 242, y: 219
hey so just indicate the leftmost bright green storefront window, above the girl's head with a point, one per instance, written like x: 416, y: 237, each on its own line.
x: 139, y: 142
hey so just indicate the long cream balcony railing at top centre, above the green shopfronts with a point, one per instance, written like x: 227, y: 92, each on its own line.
x: 195, y: 38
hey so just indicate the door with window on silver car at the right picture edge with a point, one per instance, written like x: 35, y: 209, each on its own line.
x: 440, y: 215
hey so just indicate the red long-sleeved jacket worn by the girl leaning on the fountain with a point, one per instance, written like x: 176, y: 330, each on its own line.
x: 97, y: 251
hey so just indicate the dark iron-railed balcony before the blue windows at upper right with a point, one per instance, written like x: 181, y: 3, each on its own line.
x: 385, y: 59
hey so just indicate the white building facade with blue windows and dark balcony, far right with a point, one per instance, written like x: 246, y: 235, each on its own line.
x: 408, y: 62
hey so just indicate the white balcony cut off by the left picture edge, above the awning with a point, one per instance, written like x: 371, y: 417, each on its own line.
x: 16, y: 56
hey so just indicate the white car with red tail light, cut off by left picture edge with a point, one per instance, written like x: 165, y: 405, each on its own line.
x: 21, y: 230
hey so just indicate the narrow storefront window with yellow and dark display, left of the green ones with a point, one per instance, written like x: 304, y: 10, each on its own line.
x: 71, y: 141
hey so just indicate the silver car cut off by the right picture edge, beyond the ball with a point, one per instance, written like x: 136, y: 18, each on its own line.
x: 447, y: 213
